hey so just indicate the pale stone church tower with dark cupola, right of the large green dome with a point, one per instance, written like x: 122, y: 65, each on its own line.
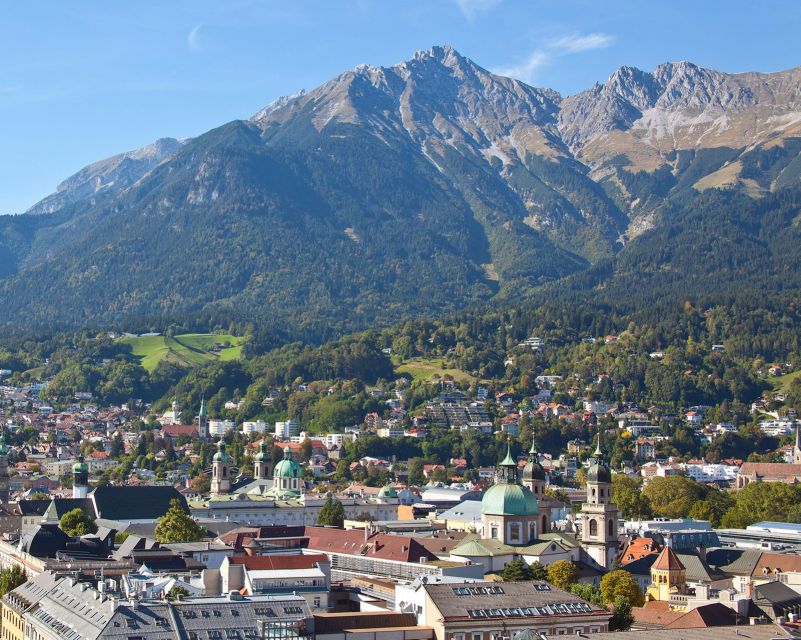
x: 599, y: 514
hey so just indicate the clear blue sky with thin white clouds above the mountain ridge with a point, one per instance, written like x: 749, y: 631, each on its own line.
x: 80, y: 81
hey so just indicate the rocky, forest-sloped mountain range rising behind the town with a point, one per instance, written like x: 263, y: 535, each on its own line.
x: 420, y: 189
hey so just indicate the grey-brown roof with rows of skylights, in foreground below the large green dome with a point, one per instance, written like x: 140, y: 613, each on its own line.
x: 519, y: 599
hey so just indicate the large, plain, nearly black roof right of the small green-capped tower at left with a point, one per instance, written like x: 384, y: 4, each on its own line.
x: 135, y: 503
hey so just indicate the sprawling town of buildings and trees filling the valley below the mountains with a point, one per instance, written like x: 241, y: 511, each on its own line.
x: 269, y: 516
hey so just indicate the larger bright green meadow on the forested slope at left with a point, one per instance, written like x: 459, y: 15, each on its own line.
x: 189, y: 349
